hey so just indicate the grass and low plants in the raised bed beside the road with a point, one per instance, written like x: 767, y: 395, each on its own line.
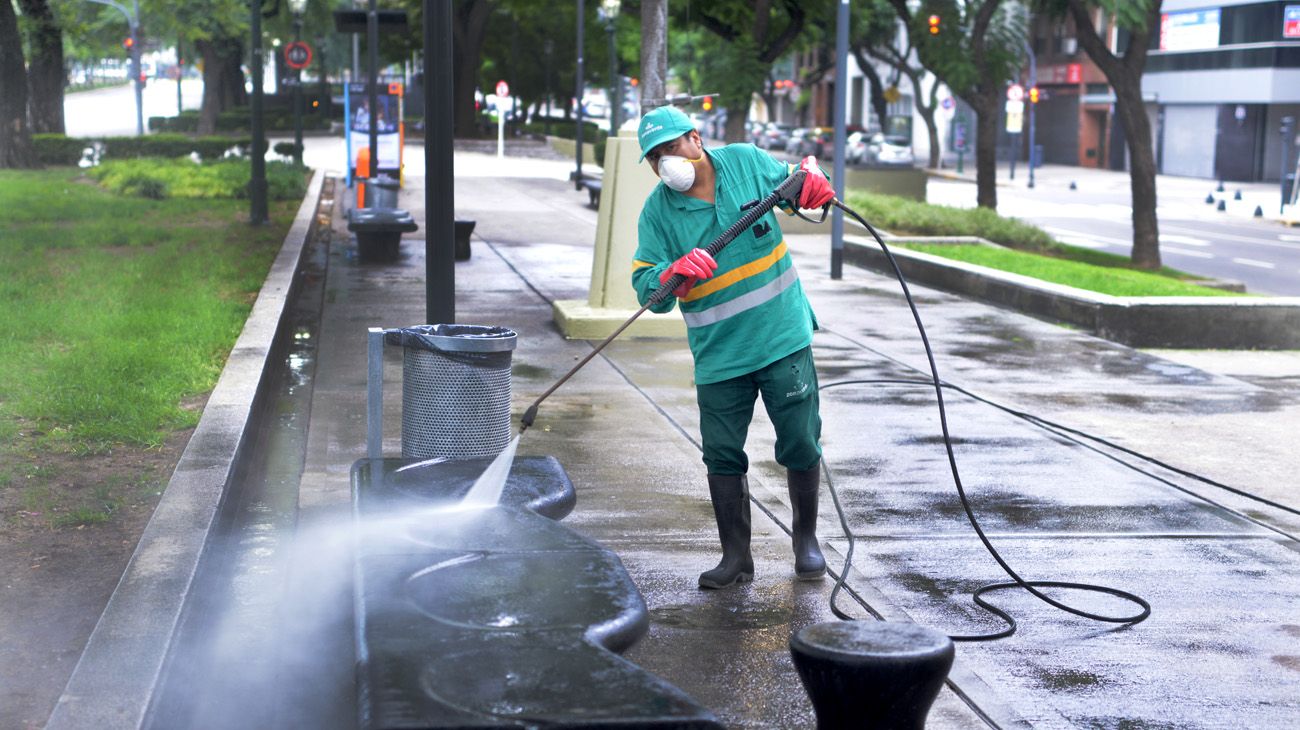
x: 1034, y: 253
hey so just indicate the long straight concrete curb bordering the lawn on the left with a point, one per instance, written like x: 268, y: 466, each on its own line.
x: 120, y: 667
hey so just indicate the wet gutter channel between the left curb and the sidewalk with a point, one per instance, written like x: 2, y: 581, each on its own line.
x: 226, y: 664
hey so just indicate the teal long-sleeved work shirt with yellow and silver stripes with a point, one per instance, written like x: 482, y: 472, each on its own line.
x: 752, y: 312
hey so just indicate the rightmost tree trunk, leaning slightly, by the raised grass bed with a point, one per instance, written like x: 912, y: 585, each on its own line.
x: 1142, y: 171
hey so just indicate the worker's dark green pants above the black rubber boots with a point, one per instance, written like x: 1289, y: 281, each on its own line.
x: 791, y: 397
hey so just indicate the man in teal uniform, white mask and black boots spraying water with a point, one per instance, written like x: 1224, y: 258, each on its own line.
x: 748, y: 323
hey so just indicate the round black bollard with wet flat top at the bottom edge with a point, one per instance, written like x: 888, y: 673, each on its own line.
x: 872, y: 673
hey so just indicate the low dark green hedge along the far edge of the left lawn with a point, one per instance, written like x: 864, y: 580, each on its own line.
x: 60, y: 150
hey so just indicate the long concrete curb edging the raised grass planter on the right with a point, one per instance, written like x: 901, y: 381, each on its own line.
x: 1149, y: 321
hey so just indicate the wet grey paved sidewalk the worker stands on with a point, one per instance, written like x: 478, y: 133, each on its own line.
x: 1223, y: 572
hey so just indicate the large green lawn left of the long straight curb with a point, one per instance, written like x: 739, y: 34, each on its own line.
x: 116, y: 318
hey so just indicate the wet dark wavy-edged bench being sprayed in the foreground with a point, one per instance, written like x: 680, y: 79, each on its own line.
x: 497, y: 616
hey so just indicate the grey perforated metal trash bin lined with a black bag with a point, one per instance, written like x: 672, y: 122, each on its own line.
x: 456, y: 390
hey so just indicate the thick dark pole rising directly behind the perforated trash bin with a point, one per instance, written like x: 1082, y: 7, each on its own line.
x: 440, y: 190
